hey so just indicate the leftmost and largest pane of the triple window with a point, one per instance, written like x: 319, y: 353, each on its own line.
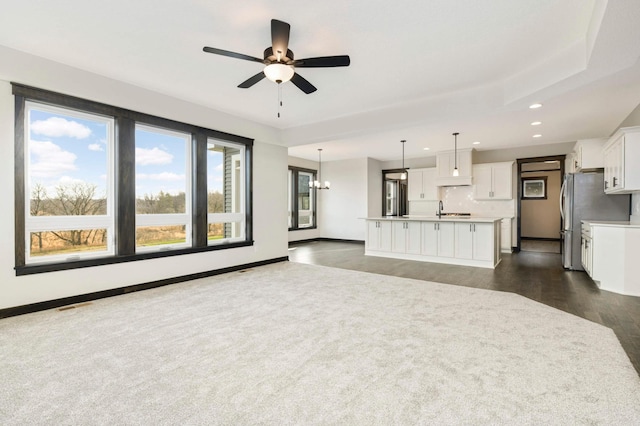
x: 69, y: 190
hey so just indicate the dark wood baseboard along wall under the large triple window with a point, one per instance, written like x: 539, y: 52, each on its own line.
x: 81, y: 298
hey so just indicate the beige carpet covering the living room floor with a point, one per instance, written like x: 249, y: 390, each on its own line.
x: 301, y: 344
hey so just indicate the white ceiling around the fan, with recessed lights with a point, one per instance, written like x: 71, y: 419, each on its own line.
x: 420, y: 70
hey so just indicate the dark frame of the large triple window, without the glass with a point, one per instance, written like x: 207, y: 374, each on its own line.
x: 123, y: 175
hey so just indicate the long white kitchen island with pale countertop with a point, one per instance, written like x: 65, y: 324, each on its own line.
x: 456, y: 240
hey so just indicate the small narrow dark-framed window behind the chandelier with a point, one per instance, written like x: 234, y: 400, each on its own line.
x: 302, y: 208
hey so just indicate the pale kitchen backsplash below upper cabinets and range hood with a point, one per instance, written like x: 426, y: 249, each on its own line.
x: 459, y: 199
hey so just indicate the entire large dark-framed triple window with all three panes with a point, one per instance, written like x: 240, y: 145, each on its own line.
x: 100, y: 184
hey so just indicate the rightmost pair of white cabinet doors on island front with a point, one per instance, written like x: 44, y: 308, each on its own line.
x: 474, y: 241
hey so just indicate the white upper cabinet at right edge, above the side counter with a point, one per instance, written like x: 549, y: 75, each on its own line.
x: 621, y: 154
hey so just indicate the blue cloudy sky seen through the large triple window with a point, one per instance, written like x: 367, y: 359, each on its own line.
x: 65, y: 148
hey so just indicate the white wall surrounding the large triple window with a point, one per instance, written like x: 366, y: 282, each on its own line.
x: 269, y: 185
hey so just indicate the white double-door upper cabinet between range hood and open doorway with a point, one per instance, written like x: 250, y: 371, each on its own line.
x: 493, y: 181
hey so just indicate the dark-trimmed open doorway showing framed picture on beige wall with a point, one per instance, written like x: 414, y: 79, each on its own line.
x: 539, y: 221
